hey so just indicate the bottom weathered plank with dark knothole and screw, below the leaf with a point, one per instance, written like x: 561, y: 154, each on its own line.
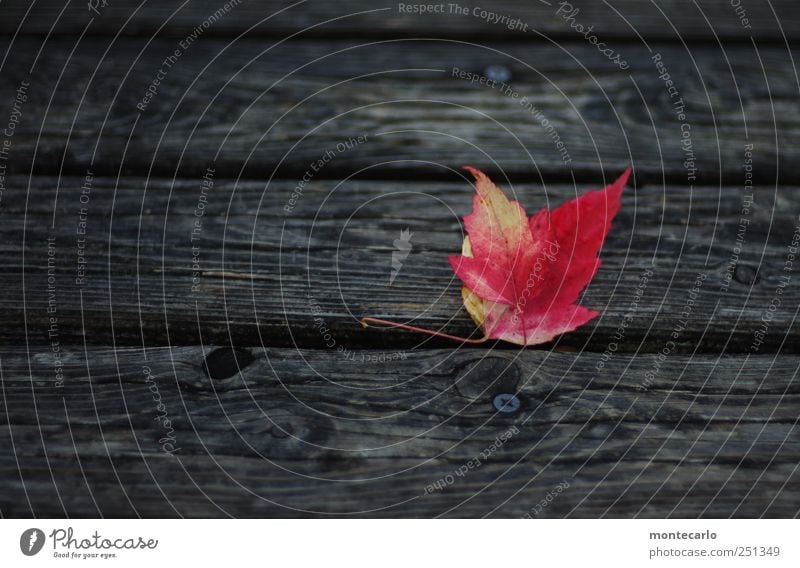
x: 299, y: 433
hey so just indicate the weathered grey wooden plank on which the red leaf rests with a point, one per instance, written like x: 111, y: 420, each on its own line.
x: 680, y: 271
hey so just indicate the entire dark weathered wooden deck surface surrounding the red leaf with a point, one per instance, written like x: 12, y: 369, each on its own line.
x: 179, y: 330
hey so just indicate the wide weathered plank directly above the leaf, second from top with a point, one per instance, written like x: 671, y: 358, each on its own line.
x: 258, y: 109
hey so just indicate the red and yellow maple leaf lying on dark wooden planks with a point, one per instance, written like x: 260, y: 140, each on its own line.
x: 522, y: 276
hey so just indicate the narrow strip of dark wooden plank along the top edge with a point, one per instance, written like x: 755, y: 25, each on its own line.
x: 630, y: 19
